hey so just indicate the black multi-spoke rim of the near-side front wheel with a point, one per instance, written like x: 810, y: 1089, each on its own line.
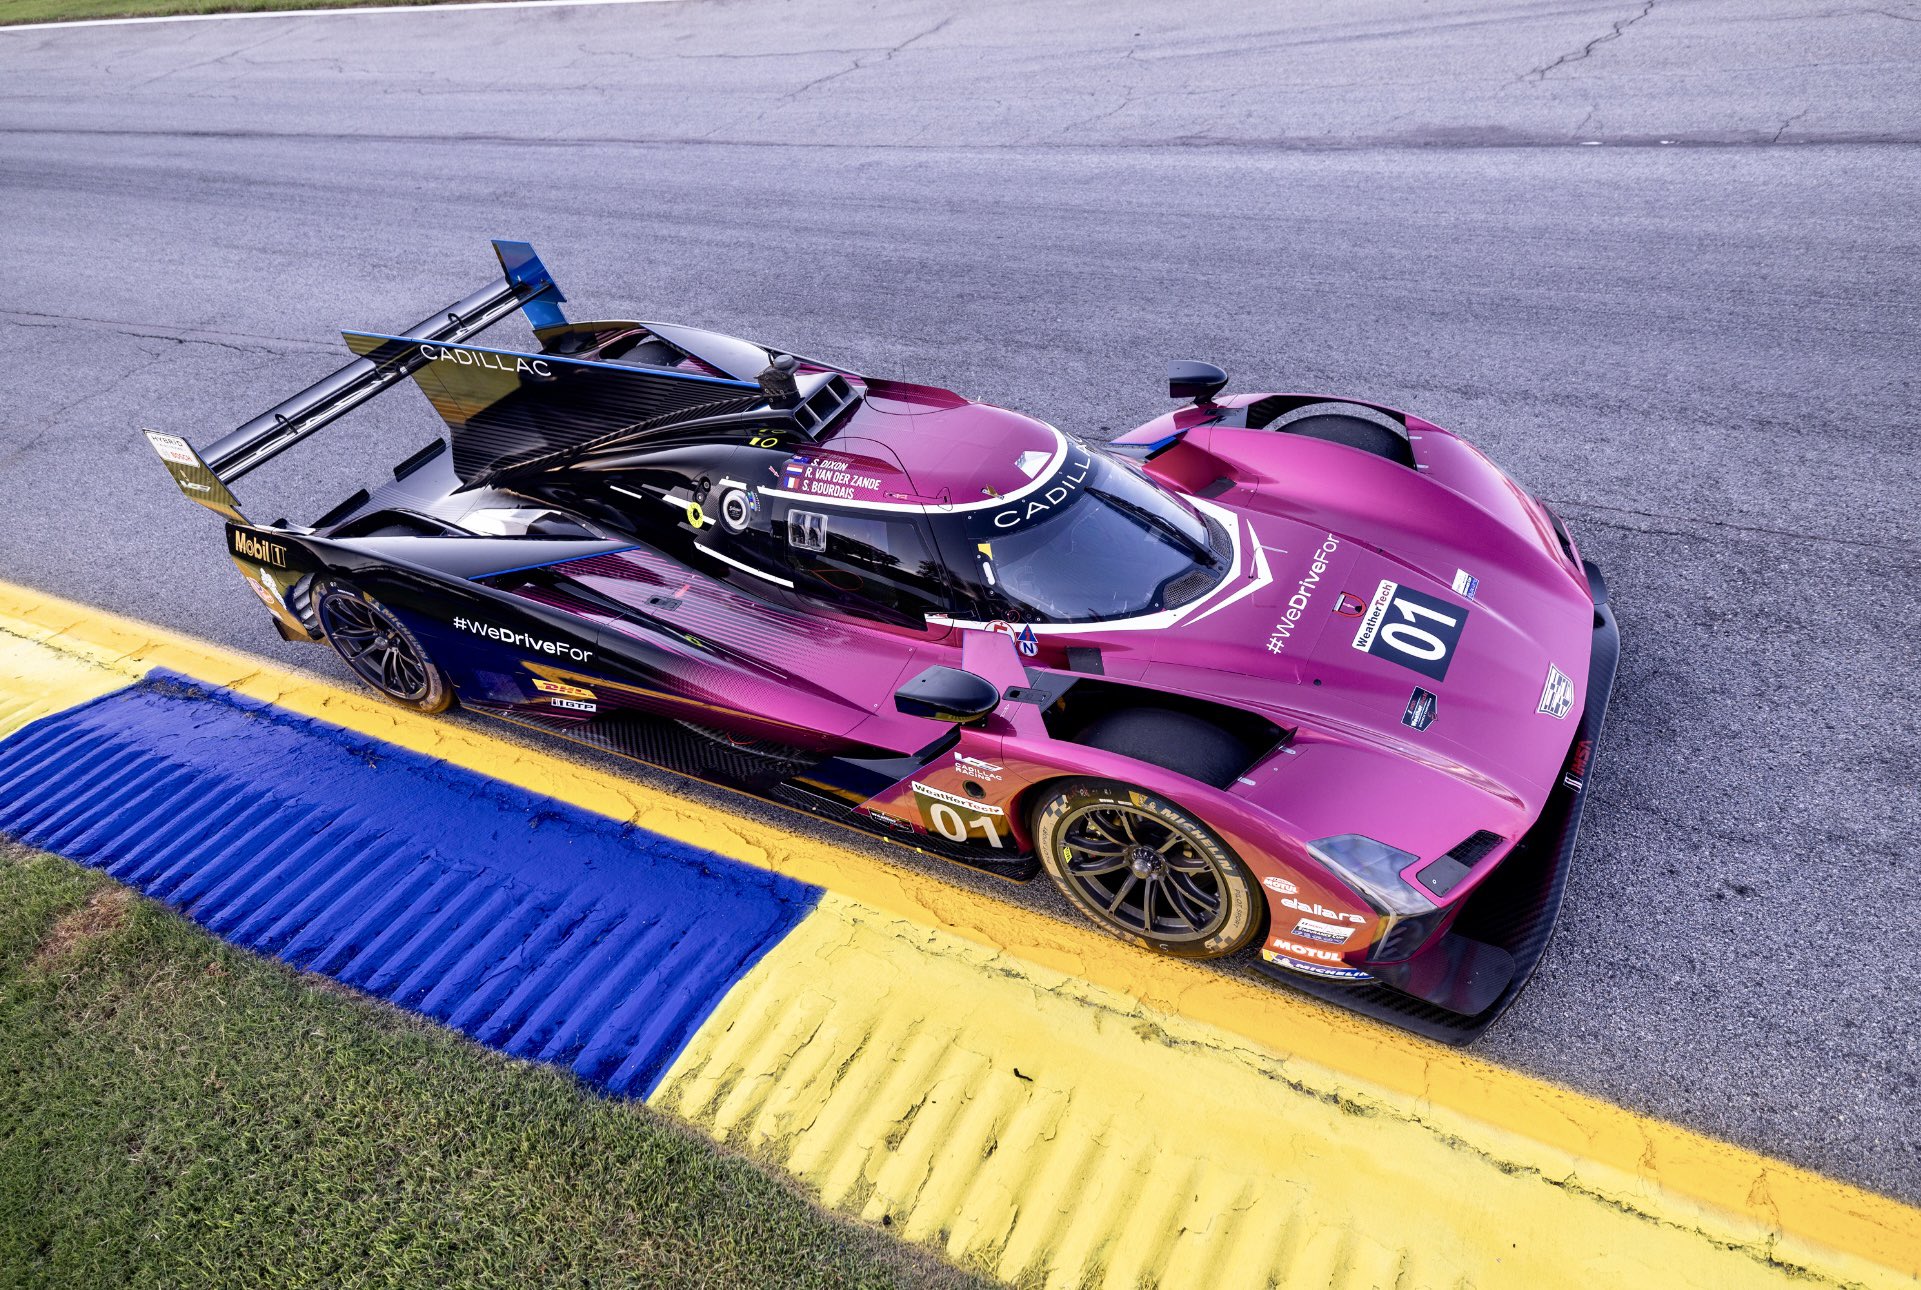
x: 1148, y: 876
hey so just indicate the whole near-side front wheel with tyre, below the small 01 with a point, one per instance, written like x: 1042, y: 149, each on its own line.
x: 1146, y: 871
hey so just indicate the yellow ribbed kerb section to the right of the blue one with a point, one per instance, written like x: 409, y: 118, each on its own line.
x: 1048, y: 1130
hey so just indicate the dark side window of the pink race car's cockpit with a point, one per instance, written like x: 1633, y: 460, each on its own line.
x: 877, y: 565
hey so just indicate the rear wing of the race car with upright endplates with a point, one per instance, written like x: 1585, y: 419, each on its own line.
x: 207, y: 475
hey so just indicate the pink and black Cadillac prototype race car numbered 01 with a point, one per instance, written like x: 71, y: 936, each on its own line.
x: 1275, y: 669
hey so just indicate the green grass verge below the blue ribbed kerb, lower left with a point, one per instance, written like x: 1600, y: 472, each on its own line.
x: 180, y: 1112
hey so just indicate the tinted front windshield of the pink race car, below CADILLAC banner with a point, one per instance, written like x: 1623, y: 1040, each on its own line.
x: 1107, y: 544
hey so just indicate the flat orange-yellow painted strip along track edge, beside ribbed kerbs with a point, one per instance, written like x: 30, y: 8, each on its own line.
x: 1540, y: 1130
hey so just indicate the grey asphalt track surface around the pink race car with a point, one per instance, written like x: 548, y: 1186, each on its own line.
x: 1661, y: 260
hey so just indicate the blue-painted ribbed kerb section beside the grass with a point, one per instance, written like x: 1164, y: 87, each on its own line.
x: 537, y: 928
